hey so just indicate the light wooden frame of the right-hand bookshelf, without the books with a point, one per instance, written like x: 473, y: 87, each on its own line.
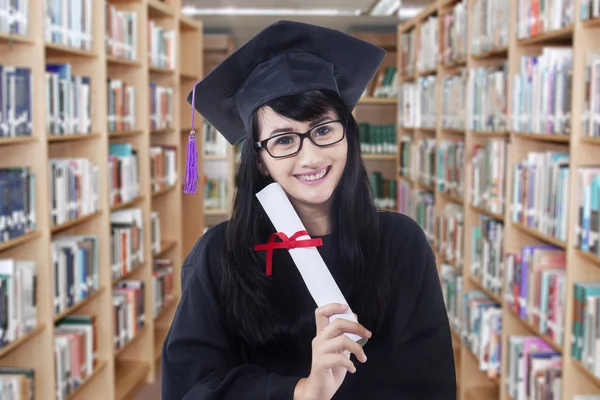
x: 581, y: 36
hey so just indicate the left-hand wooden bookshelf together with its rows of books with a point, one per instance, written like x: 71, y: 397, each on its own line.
x: 84, y: 154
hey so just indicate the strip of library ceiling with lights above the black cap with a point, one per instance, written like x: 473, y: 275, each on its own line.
x: 245, y: 27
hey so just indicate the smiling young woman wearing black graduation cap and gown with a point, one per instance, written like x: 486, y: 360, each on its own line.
x: 239, y: 333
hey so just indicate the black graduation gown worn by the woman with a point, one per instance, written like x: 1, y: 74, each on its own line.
x: 411, y: 357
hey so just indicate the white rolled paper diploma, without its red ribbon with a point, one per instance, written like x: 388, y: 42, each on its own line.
x: 309, y: 262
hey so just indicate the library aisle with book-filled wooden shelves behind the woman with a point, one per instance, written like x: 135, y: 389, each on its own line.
x: 482, y: 124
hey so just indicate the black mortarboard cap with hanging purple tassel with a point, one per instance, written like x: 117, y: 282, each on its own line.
x: 286, y: 58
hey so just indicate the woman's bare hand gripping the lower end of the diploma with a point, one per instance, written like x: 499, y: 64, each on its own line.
x: 331, y: 351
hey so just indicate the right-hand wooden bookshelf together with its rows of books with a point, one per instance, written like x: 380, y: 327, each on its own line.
x: 523, y: 279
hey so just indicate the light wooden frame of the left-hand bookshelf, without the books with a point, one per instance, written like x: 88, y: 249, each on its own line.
x: 117, y: 373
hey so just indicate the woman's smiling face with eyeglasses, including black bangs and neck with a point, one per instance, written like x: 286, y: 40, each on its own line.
x: 308, y: 165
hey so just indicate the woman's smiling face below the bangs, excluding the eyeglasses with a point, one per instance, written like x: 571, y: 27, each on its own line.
x: 310, y: 177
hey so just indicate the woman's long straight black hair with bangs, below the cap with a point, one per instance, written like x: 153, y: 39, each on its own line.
x: 269, y: 310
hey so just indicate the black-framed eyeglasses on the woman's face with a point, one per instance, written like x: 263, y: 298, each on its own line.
x: 290, y: 143
